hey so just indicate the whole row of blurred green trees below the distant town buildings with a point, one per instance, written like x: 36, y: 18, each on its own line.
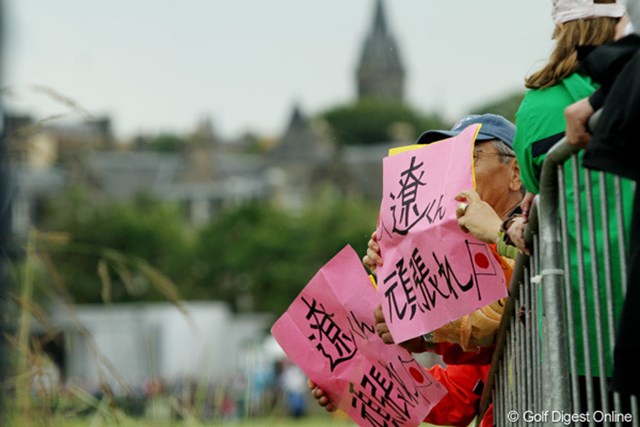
x: 256, y: 257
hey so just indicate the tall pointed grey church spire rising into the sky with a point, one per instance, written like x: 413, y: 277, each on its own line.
x: 380, y: 73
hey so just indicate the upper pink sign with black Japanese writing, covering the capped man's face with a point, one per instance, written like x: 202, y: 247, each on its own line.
x: 433, y: 272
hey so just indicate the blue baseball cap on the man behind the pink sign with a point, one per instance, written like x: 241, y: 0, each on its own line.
x: 493, y: 127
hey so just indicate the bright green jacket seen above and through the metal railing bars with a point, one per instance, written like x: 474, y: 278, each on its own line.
x: 540, y: 124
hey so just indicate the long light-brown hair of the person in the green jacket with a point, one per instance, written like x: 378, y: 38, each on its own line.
x: 564, y: 58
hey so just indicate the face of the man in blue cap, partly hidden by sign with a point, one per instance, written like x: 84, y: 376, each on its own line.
x: 494, y: 178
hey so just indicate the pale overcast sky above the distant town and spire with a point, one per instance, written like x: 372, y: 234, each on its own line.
x: 163, y: 65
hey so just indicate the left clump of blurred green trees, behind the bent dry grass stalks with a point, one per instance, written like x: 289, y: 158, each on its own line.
x: 114, y: 252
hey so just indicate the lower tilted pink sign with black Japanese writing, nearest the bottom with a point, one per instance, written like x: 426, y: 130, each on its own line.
x: 329, y: 332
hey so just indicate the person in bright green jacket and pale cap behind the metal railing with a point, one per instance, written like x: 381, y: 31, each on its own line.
x: 540, y: 124
